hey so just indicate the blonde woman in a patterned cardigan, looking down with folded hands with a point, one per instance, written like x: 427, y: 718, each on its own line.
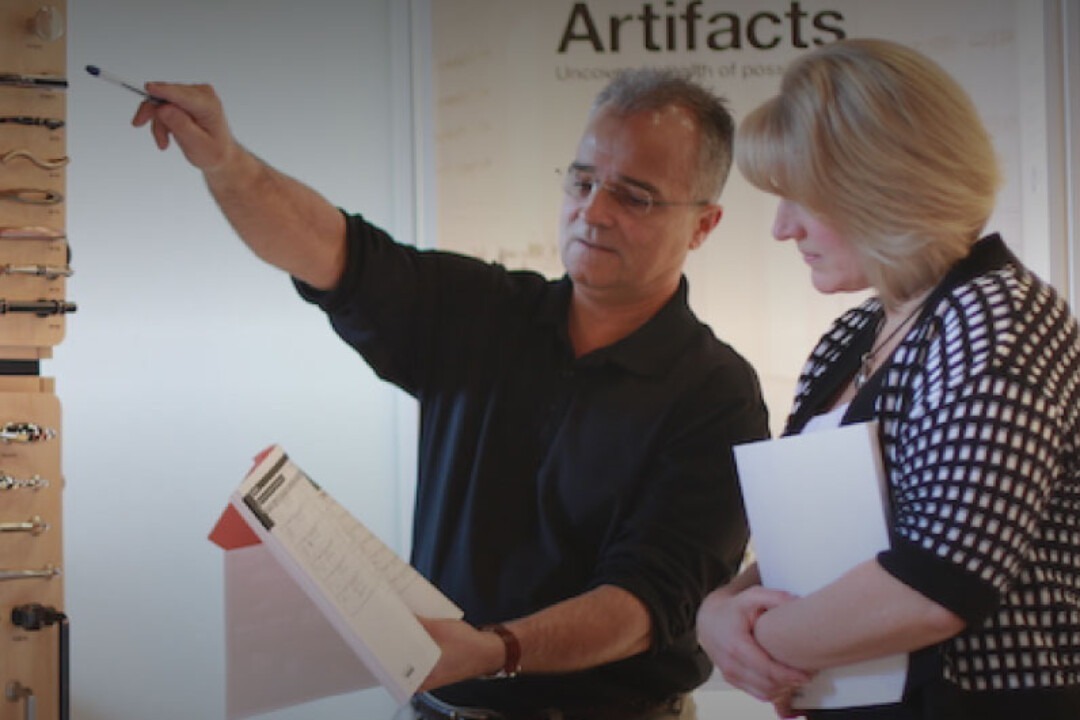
x: 970, y: 364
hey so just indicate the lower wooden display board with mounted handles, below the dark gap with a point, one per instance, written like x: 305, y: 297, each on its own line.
x: 31, y: 657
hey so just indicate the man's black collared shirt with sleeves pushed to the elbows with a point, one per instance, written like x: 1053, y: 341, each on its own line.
x: 543, y: 477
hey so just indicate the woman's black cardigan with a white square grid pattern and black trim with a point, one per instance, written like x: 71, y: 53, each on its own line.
x: 980, y: 422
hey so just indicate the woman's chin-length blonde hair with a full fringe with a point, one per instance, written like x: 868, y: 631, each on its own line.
x: 882, y: 143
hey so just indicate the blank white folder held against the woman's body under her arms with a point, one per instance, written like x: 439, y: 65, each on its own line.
x: 817, y: 506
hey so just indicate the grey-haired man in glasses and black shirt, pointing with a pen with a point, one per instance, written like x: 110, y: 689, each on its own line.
x: 576, y: 492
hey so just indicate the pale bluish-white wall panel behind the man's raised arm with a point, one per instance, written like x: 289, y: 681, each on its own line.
x: 187, y: 356
